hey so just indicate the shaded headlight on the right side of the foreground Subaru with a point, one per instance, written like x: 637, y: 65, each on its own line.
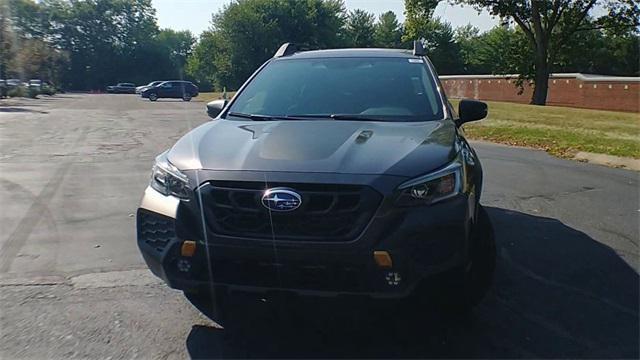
x: 434, y: 187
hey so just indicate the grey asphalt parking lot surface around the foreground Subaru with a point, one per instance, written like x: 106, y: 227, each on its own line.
x: 73, y: 285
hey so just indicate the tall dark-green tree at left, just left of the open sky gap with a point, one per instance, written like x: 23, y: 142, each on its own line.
x: 105, y: 39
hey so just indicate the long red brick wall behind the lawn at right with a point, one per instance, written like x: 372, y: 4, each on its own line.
x: 575, y: 90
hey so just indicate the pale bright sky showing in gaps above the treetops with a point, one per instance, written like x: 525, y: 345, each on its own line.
x: 195, y: 15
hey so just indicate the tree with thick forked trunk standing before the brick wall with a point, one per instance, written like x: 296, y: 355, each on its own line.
x: 551, y: 24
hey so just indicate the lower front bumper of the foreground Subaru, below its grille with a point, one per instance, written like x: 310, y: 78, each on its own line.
x: 423, y: 241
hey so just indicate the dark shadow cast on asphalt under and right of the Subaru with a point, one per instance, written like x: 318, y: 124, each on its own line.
x: 557, y: 293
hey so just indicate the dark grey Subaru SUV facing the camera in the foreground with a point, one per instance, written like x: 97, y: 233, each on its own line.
x: 333, y: 172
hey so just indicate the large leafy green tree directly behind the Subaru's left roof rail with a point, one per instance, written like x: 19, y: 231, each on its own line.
x: 246, y: 33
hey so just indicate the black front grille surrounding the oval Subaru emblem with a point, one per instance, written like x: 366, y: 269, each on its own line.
x: 331, y: 213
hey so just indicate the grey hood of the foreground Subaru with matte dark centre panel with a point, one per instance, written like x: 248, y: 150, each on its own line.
x: 323, y: 146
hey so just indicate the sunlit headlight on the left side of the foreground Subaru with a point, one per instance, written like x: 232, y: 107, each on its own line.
x: 168, y: 180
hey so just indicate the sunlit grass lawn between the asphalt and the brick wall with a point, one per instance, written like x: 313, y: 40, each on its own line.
x: 561, y: 131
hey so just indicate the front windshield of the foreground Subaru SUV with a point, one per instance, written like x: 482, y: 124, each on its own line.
x: 391, y: 89
